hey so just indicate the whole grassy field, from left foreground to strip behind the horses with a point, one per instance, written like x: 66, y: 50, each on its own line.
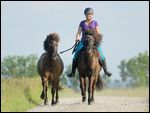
x: 21, y: 94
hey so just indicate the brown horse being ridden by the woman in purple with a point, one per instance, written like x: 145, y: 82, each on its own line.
x: 88, y: 66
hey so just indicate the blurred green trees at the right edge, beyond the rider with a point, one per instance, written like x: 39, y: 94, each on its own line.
x: 135, y: 71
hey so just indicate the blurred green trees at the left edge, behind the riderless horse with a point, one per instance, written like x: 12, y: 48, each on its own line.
x: 19, y: 66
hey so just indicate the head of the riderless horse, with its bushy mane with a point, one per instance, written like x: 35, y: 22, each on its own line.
x: 51, y: 45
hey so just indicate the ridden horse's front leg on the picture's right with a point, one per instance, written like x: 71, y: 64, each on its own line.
x: 90, y: 88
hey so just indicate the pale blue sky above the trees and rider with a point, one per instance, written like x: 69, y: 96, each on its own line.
x: 124, y: 25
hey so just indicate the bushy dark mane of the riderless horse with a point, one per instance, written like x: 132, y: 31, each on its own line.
x: 51, y: 37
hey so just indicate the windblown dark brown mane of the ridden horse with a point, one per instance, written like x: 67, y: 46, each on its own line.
x: 97, y: 36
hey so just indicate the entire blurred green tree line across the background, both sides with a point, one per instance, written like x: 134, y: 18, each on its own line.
x: 133, y: 72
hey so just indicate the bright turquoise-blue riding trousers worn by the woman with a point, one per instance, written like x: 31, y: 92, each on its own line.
x: 80, y: 46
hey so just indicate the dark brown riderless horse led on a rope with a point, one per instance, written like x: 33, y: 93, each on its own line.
x: 50, y: 67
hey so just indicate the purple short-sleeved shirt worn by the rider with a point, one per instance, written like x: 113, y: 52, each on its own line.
x: 85, y: 27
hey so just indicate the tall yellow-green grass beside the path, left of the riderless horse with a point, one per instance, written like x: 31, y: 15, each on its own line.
x: 20, y: 94
